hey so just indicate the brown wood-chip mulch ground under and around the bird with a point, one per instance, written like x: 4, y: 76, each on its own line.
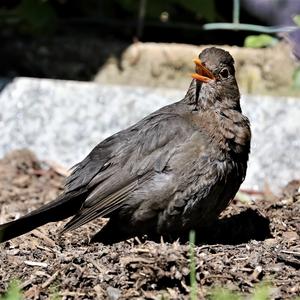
x: 252, y: 243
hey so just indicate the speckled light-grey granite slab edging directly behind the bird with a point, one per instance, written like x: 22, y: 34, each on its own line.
x: 62, y: 120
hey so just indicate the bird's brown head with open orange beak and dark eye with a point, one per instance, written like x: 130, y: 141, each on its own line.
x: 214, y: 79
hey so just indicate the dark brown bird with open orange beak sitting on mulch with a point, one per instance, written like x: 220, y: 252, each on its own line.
x: 173, y: 171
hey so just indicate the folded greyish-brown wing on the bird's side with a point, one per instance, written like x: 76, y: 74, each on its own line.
x: 118, y: 165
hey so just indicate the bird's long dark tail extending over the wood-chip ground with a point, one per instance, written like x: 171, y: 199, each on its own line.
x: 56, y: 210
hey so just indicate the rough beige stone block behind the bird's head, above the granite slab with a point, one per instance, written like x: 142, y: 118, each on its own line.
x: 166, y: 65
